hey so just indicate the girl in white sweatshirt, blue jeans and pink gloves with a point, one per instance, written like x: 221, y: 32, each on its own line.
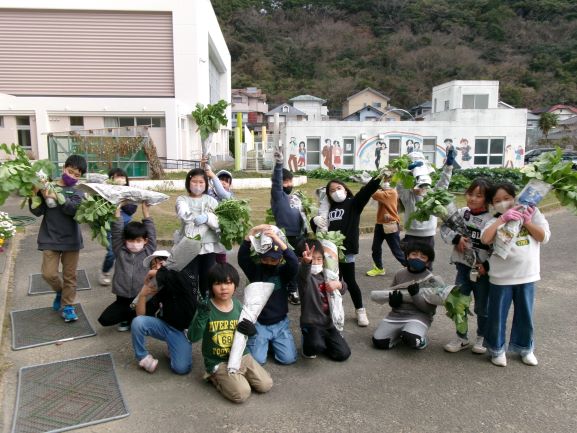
x: 513, y: 278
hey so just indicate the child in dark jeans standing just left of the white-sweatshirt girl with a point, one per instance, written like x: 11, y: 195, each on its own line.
x: 470, y: 256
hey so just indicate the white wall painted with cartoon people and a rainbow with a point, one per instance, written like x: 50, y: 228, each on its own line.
x: 344, y: 146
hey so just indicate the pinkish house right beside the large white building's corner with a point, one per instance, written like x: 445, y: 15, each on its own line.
x: 251, y: 103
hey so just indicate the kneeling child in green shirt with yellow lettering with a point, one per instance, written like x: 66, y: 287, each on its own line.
x: 215, y: 323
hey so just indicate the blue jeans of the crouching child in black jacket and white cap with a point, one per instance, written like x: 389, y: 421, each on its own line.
x: 179, y: 348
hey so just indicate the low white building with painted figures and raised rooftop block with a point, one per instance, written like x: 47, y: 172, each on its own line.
x: 467, y: 115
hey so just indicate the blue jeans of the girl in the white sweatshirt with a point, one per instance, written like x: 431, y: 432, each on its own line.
x: 500, y: 298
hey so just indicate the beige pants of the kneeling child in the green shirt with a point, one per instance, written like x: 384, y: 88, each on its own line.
x: 236, y: 387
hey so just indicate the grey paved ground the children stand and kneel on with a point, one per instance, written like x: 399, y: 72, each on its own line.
x: 397, y: 391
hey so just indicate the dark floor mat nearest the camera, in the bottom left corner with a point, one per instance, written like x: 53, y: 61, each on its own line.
x: 67, y: 395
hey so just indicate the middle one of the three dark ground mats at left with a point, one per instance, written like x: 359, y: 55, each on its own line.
x: 40, y: 326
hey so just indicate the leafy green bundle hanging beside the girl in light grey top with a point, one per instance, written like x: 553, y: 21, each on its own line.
x: 234, y: 221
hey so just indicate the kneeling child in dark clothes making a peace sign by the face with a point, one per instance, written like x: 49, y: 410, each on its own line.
x: 319, y: 332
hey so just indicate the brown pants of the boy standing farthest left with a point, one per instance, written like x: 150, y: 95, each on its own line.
x: 67, y: 285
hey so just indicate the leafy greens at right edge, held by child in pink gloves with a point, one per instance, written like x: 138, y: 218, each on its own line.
x: 551, y: 168
